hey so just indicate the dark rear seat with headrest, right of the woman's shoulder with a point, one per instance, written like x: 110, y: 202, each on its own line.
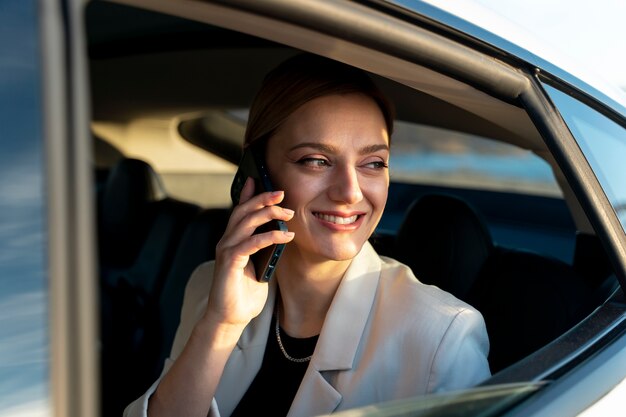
x: 527, y: 299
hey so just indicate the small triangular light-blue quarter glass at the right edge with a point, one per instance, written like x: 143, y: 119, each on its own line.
x: 604, y: 144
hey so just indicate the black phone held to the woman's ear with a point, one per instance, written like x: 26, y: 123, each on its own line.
x: 253, y: 165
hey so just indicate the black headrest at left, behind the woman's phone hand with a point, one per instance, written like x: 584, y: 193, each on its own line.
x: 125, y: 212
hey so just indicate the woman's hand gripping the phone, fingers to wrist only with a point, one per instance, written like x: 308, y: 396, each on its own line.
x: 236, y: 296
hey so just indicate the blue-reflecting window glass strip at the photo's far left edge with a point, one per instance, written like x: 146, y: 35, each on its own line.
x: 23, y: 287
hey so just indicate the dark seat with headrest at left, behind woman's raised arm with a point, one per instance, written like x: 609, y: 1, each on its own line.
x: 139, y: 229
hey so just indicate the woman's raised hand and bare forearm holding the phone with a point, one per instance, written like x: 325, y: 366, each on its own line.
x: 236, y: 298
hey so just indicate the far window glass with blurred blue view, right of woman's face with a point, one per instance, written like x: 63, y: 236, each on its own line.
x: 443, y: 157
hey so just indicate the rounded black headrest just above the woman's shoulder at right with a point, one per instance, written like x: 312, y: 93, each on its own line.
x: 445, y: 241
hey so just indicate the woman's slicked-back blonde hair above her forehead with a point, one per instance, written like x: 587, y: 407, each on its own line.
x: 301, y: 79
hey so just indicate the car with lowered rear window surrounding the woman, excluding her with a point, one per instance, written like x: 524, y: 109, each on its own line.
x: 122, y: 124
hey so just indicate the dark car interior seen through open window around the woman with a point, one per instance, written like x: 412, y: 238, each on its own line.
x: 169, y: 98
